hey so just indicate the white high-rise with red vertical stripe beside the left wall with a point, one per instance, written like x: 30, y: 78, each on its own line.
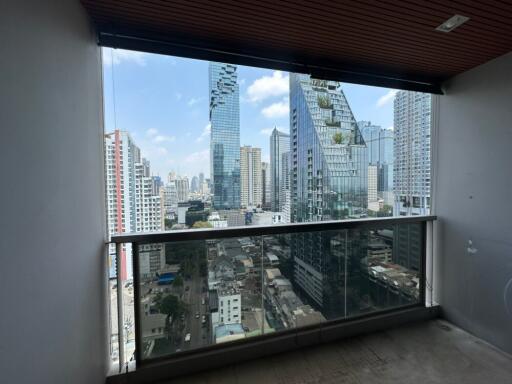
x: 132, y: 206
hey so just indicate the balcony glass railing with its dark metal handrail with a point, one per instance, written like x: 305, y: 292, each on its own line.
x: 203, y: 289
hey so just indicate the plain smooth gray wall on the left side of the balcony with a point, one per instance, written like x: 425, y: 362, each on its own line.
x: 52, y: 276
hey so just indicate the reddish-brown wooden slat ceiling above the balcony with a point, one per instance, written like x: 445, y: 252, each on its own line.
x: 389, y: 38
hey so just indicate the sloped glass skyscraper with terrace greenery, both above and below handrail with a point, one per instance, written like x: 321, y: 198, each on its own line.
x: 329, y: 164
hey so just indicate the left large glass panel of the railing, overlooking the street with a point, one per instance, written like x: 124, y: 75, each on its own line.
x: 198, y: 293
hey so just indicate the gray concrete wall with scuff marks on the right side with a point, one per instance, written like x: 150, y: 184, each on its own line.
x: 473, y: 200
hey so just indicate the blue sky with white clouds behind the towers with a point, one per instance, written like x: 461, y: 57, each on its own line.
x: 163, y: 102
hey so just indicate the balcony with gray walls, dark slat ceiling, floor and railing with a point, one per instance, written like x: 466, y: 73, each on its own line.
x: 446, y: 320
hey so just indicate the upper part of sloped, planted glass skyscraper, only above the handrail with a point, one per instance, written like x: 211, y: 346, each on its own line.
x: 329, y: 158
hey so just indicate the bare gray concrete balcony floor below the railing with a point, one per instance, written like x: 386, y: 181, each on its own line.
x: 429, y: 352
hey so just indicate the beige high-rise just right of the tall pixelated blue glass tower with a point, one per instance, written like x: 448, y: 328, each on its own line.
x: 250, y: 177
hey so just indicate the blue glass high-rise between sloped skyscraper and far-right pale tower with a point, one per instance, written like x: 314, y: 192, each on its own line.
x: 380, y: 153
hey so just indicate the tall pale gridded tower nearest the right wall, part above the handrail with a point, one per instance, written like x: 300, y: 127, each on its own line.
x: 411, y: 166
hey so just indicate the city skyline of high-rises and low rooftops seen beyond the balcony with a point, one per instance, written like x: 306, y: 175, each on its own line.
x: 331, y: 166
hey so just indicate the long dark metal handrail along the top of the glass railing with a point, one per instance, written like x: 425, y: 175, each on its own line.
x: 262, y: 230
